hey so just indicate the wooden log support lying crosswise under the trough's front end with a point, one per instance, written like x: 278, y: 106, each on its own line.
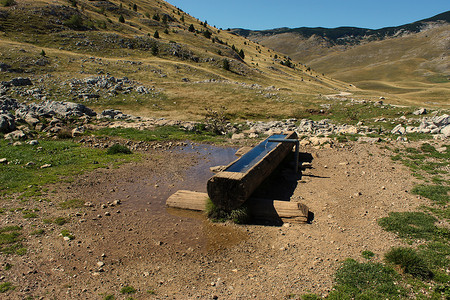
x: 290, y: 212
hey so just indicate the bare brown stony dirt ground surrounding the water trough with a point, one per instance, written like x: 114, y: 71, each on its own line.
x: 171, y: 254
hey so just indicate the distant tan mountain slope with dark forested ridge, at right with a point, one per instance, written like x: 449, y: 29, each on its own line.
x: 410, y: 61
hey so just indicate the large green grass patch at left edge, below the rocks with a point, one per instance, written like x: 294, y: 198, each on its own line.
x: 67, y: 159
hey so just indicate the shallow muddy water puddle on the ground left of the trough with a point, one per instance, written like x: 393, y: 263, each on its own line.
x: 177, y: 227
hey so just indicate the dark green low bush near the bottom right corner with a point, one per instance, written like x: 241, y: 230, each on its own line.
x: 410, y: 261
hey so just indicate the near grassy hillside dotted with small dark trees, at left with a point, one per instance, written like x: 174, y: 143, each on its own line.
x: 55, y: 41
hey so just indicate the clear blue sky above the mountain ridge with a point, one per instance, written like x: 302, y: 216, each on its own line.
x: 269, y: 14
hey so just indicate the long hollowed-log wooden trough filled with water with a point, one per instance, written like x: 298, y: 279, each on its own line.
x: 230, y: 188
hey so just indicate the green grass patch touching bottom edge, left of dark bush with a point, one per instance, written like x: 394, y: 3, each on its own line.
x: 368, y: 280
